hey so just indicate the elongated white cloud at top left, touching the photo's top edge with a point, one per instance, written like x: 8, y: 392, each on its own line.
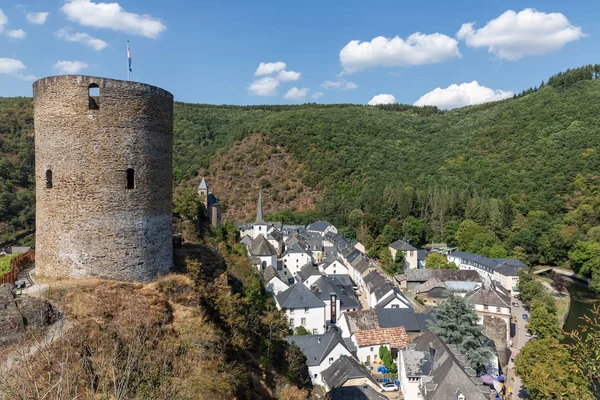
x: 112, y: 16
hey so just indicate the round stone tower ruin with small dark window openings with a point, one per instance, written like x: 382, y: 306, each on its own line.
x: 103, y: 170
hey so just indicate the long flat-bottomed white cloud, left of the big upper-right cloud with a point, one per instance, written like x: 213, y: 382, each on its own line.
x: 417, y: 49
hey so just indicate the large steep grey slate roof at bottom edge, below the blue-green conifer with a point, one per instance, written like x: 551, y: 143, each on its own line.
x: 448, y: 371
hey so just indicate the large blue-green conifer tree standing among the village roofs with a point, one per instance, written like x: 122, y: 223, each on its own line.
x: 456, y: 322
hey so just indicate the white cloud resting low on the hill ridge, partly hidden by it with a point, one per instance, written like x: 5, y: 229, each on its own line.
x: 462, y: 95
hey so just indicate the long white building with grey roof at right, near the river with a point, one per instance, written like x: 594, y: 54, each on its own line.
x: 502, y: 270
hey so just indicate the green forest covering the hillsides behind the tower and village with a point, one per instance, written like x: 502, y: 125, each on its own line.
x: 517, y: 177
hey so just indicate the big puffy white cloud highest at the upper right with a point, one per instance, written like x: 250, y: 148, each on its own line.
x: 514, y: 35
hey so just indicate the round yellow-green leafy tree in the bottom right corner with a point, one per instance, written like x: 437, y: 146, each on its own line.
x: 548, y: 372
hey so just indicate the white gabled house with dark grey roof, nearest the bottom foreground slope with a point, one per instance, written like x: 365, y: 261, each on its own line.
x: 321, y: 352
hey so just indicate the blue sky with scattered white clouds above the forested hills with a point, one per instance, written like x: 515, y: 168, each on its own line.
x: 210, y: 51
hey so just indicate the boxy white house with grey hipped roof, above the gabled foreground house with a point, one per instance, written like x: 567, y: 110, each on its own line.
x: 302, y: 308
